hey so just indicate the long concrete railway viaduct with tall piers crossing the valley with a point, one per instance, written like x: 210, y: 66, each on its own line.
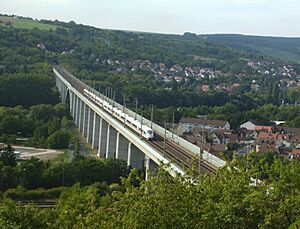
x: 112, y: 139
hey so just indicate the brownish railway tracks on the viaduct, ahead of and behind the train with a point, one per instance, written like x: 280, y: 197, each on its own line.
x: 171, y: 150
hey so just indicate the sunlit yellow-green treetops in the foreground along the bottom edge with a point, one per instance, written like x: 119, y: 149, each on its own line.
x: 229, y: 199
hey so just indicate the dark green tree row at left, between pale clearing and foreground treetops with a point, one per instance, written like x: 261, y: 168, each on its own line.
x: 34, y: 173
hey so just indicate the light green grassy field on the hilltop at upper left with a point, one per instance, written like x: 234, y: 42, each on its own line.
x: 23, y: 23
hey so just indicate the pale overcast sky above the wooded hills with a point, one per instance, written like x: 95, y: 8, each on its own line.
x: 257, y: 17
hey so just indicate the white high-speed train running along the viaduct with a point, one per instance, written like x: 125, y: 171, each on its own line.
x: 137, y: 126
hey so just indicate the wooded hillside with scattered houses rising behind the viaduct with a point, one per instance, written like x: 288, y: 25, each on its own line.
x: 164, y: 70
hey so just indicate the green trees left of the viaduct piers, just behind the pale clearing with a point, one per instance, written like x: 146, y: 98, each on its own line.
x: 41, y: 125
